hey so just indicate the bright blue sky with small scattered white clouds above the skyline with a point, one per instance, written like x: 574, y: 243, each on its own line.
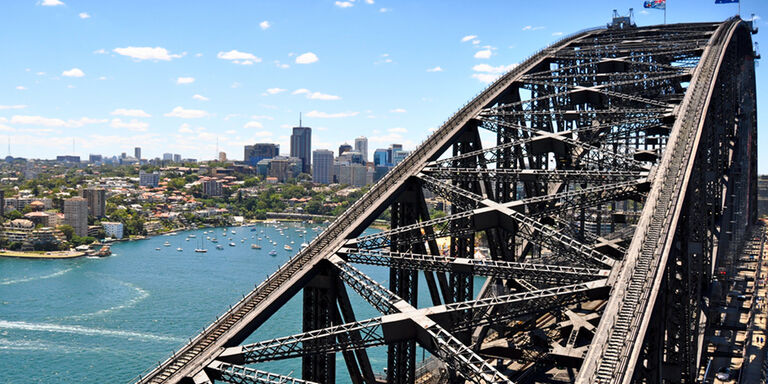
x: 173, y: 76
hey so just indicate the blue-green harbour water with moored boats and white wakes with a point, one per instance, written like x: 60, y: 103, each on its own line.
x: 105, y: 320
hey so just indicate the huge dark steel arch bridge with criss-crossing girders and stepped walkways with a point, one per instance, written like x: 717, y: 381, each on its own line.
x: 580, y: 216
